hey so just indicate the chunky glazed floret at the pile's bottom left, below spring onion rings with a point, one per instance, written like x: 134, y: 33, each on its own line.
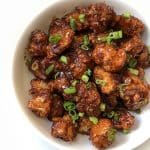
x: 64, y: 128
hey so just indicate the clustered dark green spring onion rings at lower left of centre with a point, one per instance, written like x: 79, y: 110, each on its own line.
x: 70, y: 107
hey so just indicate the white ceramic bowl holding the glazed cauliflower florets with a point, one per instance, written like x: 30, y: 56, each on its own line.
x: 22, y: 77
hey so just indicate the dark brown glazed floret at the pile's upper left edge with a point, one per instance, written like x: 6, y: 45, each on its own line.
x: 37, y: 43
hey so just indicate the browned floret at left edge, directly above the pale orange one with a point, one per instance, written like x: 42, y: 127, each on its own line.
x: 39, y: 87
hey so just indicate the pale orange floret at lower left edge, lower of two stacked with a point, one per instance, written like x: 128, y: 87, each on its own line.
x: 40, y: 105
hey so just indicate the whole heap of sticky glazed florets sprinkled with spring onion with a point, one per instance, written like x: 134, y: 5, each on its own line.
x: 89, y: 73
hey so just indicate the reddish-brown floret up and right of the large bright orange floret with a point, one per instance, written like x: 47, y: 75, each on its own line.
x: 133, y: 45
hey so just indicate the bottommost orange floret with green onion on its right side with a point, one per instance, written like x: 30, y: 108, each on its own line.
x: 102, y: 134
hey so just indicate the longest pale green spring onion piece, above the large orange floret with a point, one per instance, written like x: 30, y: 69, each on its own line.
x: 111, y: 36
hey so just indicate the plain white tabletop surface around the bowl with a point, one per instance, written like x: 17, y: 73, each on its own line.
x: 14, y: 132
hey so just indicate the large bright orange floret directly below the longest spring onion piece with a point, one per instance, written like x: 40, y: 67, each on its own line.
x: 109, y: 58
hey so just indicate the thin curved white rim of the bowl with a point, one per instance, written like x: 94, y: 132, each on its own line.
x: 14, y: 92
